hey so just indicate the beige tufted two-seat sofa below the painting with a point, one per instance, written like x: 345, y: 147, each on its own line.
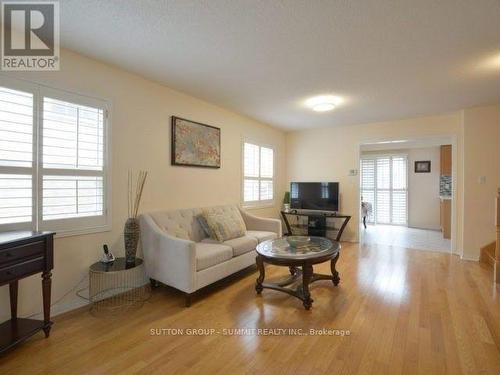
x: 178, y: 253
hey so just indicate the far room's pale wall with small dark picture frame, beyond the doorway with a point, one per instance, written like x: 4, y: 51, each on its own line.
x: 423, y: 188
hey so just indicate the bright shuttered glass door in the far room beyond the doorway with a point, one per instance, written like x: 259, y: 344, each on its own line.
x: 384, y: 185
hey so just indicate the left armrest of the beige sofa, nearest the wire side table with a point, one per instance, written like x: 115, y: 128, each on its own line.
x: 168, y: 259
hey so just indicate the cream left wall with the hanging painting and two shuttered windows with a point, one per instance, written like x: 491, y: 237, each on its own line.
x: 140, y: 140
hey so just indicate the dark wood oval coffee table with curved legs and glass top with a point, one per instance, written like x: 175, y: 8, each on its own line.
x: 300, y: 261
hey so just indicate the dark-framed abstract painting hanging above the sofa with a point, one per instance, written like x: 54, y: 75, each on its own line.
x: 195, y: 144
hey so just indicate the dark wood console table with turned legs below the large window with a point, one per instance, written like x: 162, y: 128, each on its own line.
x: 22, y: 254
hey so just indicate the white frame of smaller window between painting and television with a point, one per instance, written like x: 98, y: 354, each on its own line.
x: 258, y: 203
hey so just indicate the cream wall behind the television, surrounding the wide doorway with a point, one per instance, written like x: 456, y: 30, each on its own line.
x: 327, y: 155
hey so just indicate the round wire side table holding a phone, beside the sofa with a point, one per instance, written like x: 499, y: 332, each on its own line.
x: 117, y: 287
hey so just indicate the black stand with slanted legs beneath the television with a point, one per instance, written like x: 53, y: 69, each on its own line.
x: 315, y: 223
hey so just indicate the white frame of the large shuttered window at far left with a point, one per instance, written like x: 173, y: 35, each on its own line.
x: 69, y: 226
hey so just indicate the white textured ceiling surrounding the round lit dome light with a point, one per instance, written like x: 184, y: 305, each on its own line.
x: 263, y: 58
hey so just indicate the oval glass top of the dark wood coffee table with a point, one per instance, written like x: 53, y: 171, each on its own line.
x: 281, y: 249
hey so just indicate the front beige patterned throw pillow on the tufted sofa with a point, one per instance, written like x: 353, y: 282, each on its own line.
x: 225, y: 225
